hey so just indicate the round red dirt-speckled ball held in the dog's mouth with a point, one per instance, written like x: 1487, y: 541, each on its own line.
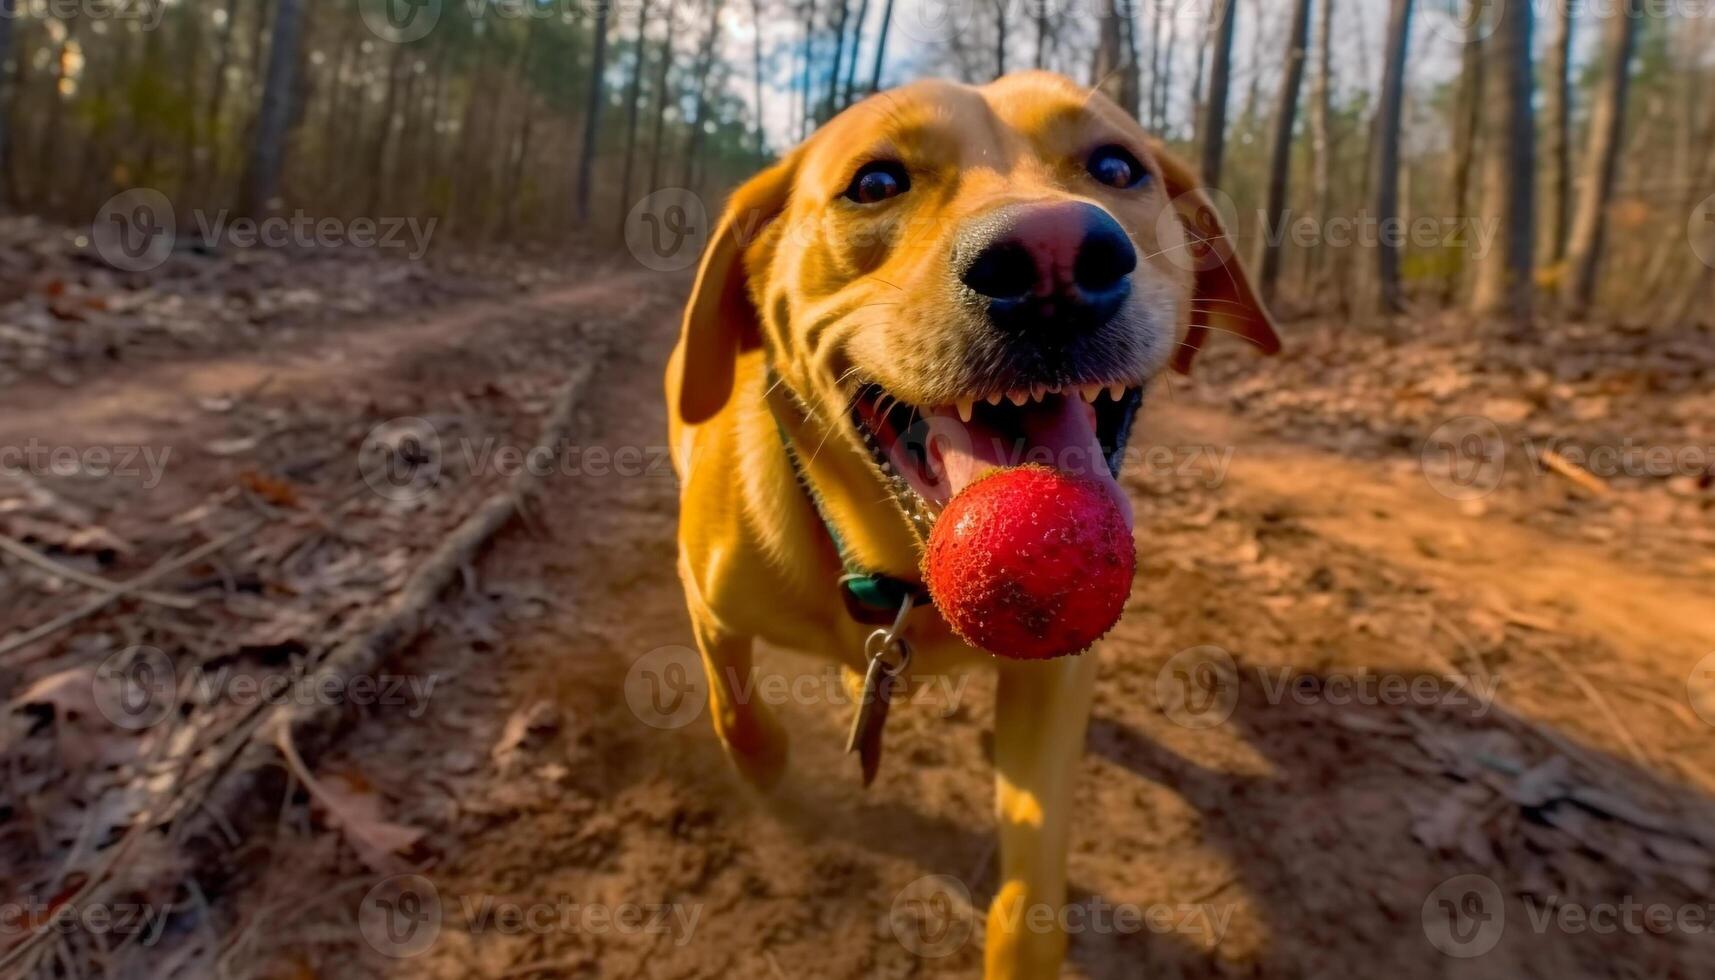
x: 1032, y: 564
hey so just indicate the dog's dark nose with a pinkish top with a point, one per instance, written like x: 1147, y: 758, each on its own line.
x: 1064, y: 265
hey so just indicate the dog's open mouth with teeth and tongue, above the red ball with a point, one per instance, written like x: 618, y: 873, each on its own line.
x: 930, y: 454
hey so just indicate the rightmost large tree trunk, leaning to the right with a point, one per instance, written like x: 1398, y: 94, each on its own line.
x: 1608, y: 128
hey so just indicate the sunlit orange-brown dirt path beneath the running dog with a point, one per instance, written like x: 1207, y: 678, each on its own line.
x: 1260, y: 795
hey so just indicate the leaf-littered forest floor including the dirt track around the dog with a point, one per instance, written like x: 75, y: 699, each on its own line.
x: 1452, y: 708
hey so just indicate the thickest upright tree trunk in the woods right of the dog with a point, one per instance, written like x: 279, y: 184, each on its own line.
x: 1503, y: 277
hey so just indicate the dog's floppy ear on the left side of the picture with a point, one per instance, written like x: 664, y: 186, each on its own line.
x: 721, y: 320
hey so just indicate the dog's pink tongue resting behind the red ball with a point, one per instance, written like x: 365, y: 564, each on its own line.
x: 1059, y: 432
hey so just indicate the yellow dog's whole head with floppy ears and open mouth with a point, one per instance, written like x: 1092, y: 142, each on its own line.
x: 960, y: 277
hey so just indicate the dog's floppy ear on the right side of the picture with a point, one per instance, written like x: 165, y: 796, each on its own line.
x: 1222, y: 298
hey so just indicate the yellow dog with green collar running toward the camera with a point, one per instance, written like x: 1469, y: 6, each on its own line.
x: 1014, y: 262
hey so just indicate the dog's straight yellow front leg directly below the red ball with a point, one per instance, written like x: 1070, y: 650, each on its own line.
x: 1042, y: 711
